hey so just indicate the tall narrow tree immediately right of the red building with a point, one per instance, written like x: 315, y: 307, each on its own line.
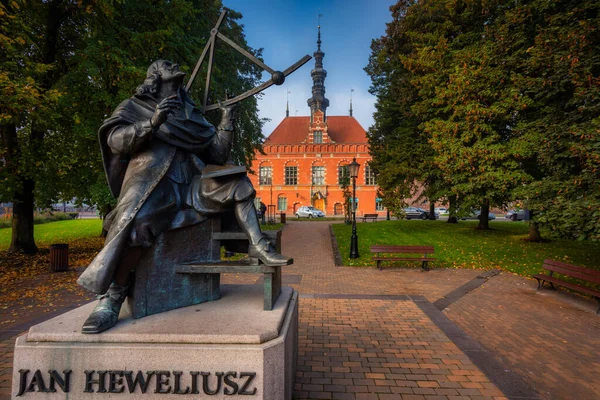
x: 402, y: 155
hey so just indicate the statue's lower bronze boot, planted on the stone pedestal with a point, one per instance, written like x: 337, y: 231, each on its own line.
x: 106, y: 312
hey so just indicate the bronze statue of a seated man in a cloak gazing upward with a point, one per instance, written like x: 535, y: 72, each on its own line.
x: 155, y: 146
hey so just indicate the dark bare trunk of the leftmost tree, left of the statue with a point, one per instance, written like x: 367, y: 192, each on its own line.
x: 22, y: 240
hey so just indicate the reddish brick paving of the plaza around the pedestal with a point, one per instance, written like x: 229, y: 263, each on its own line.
x: 406, y: 334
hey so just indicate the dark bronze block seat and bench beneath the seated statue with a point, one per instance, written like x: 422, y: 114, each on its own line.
x: 173, y: 274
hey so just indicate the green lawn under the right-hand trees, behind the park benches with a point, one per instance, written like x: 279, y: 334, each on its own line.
x: 462, y: 246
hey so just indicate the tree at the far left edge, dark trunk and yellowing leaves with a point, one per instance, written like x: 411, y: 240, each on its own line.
x: 36, y: 45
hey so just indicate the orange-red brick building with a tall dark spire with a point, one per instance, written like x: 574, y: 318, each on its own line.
x: 305, y: 157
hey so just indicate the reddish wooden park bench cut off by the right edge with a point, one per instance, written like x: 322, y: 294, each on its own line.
x: 582, y: 274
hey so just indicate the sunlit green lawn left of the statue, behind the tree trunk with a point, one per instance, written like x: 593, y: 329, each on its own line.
x: 57, y: 232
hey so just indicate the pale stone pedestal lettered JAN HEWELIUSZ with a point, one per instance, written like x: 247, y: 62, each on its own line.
x: 214, y: 350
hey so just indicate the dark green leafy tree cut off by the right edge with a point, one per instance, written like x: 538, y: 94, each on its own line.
x: 561, y: 75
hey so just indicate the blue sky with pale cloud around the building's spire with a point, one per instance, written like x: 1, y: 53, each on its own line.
x: 287, y: 30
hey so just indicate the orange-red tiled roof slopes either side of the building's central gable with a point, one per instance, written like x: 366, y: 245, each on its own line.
x: 341, y: 129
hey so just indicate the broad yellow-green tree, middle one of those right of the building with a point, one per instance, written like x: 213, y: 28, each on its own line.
x: 471, y: 106
